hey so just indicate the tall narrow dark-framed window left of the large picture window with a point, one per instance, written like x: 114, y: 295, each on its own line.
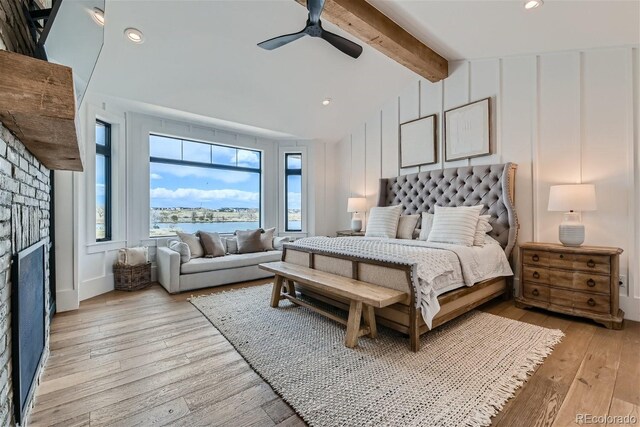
x: 103, y: 181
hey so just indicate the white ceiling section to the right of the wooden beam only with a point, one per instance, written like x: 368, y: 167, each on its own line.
x: 475, y: 29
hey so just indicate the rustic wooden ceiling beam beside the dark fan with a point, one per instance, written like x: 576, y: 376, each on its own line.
x: 362, y: 20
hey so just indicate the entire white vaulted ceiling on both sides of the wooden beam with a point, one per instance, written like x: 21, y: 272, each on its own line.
x: 201, y: 58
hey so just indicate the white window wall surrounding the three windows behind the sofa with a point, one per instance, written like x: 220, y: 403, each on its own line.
x: 85, y: 270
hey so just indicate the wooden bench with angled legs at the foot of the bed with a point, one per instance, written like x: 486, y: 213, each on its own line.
x: 363, y: 297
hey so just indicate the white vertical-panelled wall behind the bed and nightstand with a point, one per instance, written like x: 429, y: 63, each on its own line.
x: 563, y: 118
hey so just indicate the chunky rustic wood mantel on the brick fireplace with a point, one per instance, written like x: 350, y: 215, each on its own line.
x: 37, y: 104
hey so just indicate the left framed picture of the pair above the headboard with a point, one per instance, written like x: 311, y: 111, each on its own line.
x: 418, y: 142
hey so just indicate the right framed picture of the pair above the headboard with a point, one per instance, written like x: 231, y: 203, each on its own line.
x: 467, y: 130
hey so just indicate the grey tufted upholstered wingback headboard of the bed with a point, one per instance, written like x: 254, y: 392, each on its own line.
x: 491, y: 186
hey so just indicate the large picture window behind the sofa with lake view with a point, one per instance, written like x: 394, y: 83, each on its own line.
x: 201, y: 186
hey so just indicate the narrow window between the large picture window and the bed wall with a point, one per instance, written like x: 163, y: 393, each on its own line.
x: 293, y: 191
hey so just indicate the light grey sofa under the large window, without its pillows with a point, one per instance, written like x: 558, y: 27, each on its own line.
x: 206, y: 272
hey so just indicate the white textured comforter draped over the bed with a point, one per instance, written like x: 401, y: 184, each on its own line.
x: 434, y: 265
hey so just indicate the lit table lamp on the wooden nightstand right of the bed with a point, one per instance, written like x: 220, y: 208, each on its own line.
x: 572, y: 199
